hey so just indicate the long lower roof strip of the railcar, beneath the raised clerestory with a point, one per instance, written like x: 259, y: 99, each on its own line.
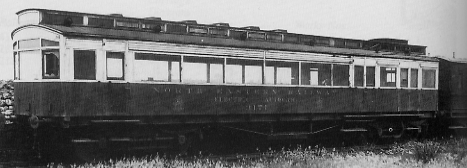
x: 96, y: 32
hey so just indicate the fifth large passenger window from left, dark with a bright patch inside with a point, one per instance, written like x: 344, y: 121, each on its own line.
x: 316, y: 74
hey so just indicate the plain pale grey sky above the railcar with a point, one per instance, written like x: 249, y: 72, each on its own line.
x: 441, y: 25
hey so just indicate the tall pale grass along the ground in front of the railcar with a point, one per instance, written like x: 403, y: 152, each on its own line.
x: 429, y: 154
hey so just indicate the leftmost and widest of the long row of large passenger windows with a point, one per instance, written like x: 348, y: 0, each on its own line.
x: 156, y: 67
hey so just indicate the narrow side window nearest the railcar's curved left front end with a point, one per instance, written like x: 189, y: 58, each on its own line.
x: 51, y: 64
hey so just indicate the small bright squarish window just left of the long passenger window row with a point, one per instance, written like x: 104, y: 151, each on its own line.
x: 115, y: 64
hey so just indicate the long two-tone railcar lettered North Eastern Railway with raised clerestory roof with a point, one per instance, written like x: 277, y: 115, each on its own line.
x: 96, y: 80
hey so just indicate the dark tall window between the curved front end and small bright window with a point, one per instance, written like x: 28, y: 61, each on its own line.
x: 85, y: 64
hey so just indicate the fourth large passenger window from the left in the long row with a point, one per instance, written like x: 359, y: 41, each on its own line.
x: 281, y: 73
